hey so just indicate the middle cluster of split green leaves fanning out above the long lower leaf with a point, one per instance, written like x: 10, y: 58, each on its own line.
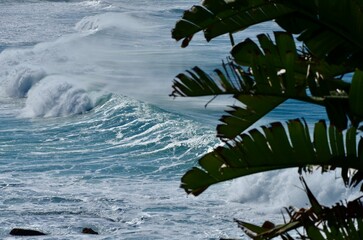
x: 265, y: 76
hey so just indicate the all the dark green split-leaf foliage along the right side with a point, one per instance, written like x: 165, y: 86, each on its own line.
x: 315, y: 58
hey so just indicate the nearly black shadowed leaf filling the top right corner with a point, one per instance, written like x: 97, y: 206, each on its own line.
x: 330, y: 29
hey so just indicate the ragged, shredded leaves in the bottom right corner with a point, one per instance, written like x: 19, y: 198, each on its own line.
x: 341, y: 221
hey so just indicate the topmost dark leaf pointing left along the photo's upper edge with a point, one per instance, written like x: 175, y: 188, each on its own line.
x: 217, y: 17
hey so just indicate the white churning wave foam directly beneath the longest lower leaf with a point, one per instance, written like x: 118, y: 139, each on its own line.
x: 283, y: 188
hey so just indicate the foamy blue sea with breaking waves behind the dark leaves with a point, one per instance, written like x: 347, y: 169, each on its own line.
x: 90, y: 138
